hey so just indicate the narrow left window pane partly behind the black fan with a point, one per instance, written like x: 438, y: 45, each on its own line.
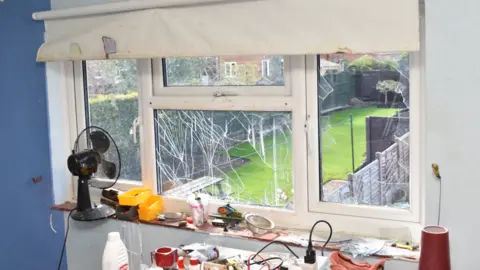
x: 112, y: 105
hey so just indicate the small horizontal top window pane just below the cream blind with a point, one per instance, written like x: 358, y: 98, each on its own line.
x: 220, y: 71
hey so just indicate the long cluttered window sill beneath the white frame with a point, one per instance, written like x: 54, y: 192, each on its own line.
x: 386, y: 252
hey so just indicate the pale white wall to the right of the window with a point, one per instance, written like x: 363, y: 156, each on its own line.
x: 453, y: 126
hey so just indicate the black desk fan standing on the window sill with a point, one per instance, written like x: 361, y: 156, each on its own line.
x: 99, y: 160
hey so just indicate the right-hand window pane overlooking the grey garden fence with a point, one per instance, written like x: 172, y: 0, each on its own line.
x: 364, y: 127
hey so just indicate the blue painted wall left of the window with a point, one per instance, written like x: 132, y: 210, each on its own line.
x: 27, y: 242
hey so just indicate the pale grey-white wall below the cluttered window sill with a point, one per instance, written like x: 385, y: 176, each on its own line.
x: 86, y: 241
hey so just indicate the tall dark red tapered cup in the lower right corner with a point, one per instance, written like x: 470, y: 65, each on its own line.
x: 435, y: 249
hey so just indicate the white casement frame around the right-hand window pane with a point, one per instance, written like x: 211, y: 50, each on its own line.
x: 378, y: 212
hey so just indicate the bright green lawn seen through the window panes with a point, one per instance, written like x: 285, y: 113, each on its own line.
x: 257, y: 176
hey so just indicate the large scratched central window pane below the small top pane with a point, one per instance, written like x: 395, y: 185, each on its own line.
x: 241, y: 157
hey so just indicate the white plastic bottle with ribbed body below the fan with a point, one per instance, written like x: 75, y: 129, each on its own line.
x: 115, y: 256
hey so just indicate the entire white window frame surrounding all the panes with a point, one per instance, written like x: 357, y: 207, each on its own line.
x: 296, y: 96
